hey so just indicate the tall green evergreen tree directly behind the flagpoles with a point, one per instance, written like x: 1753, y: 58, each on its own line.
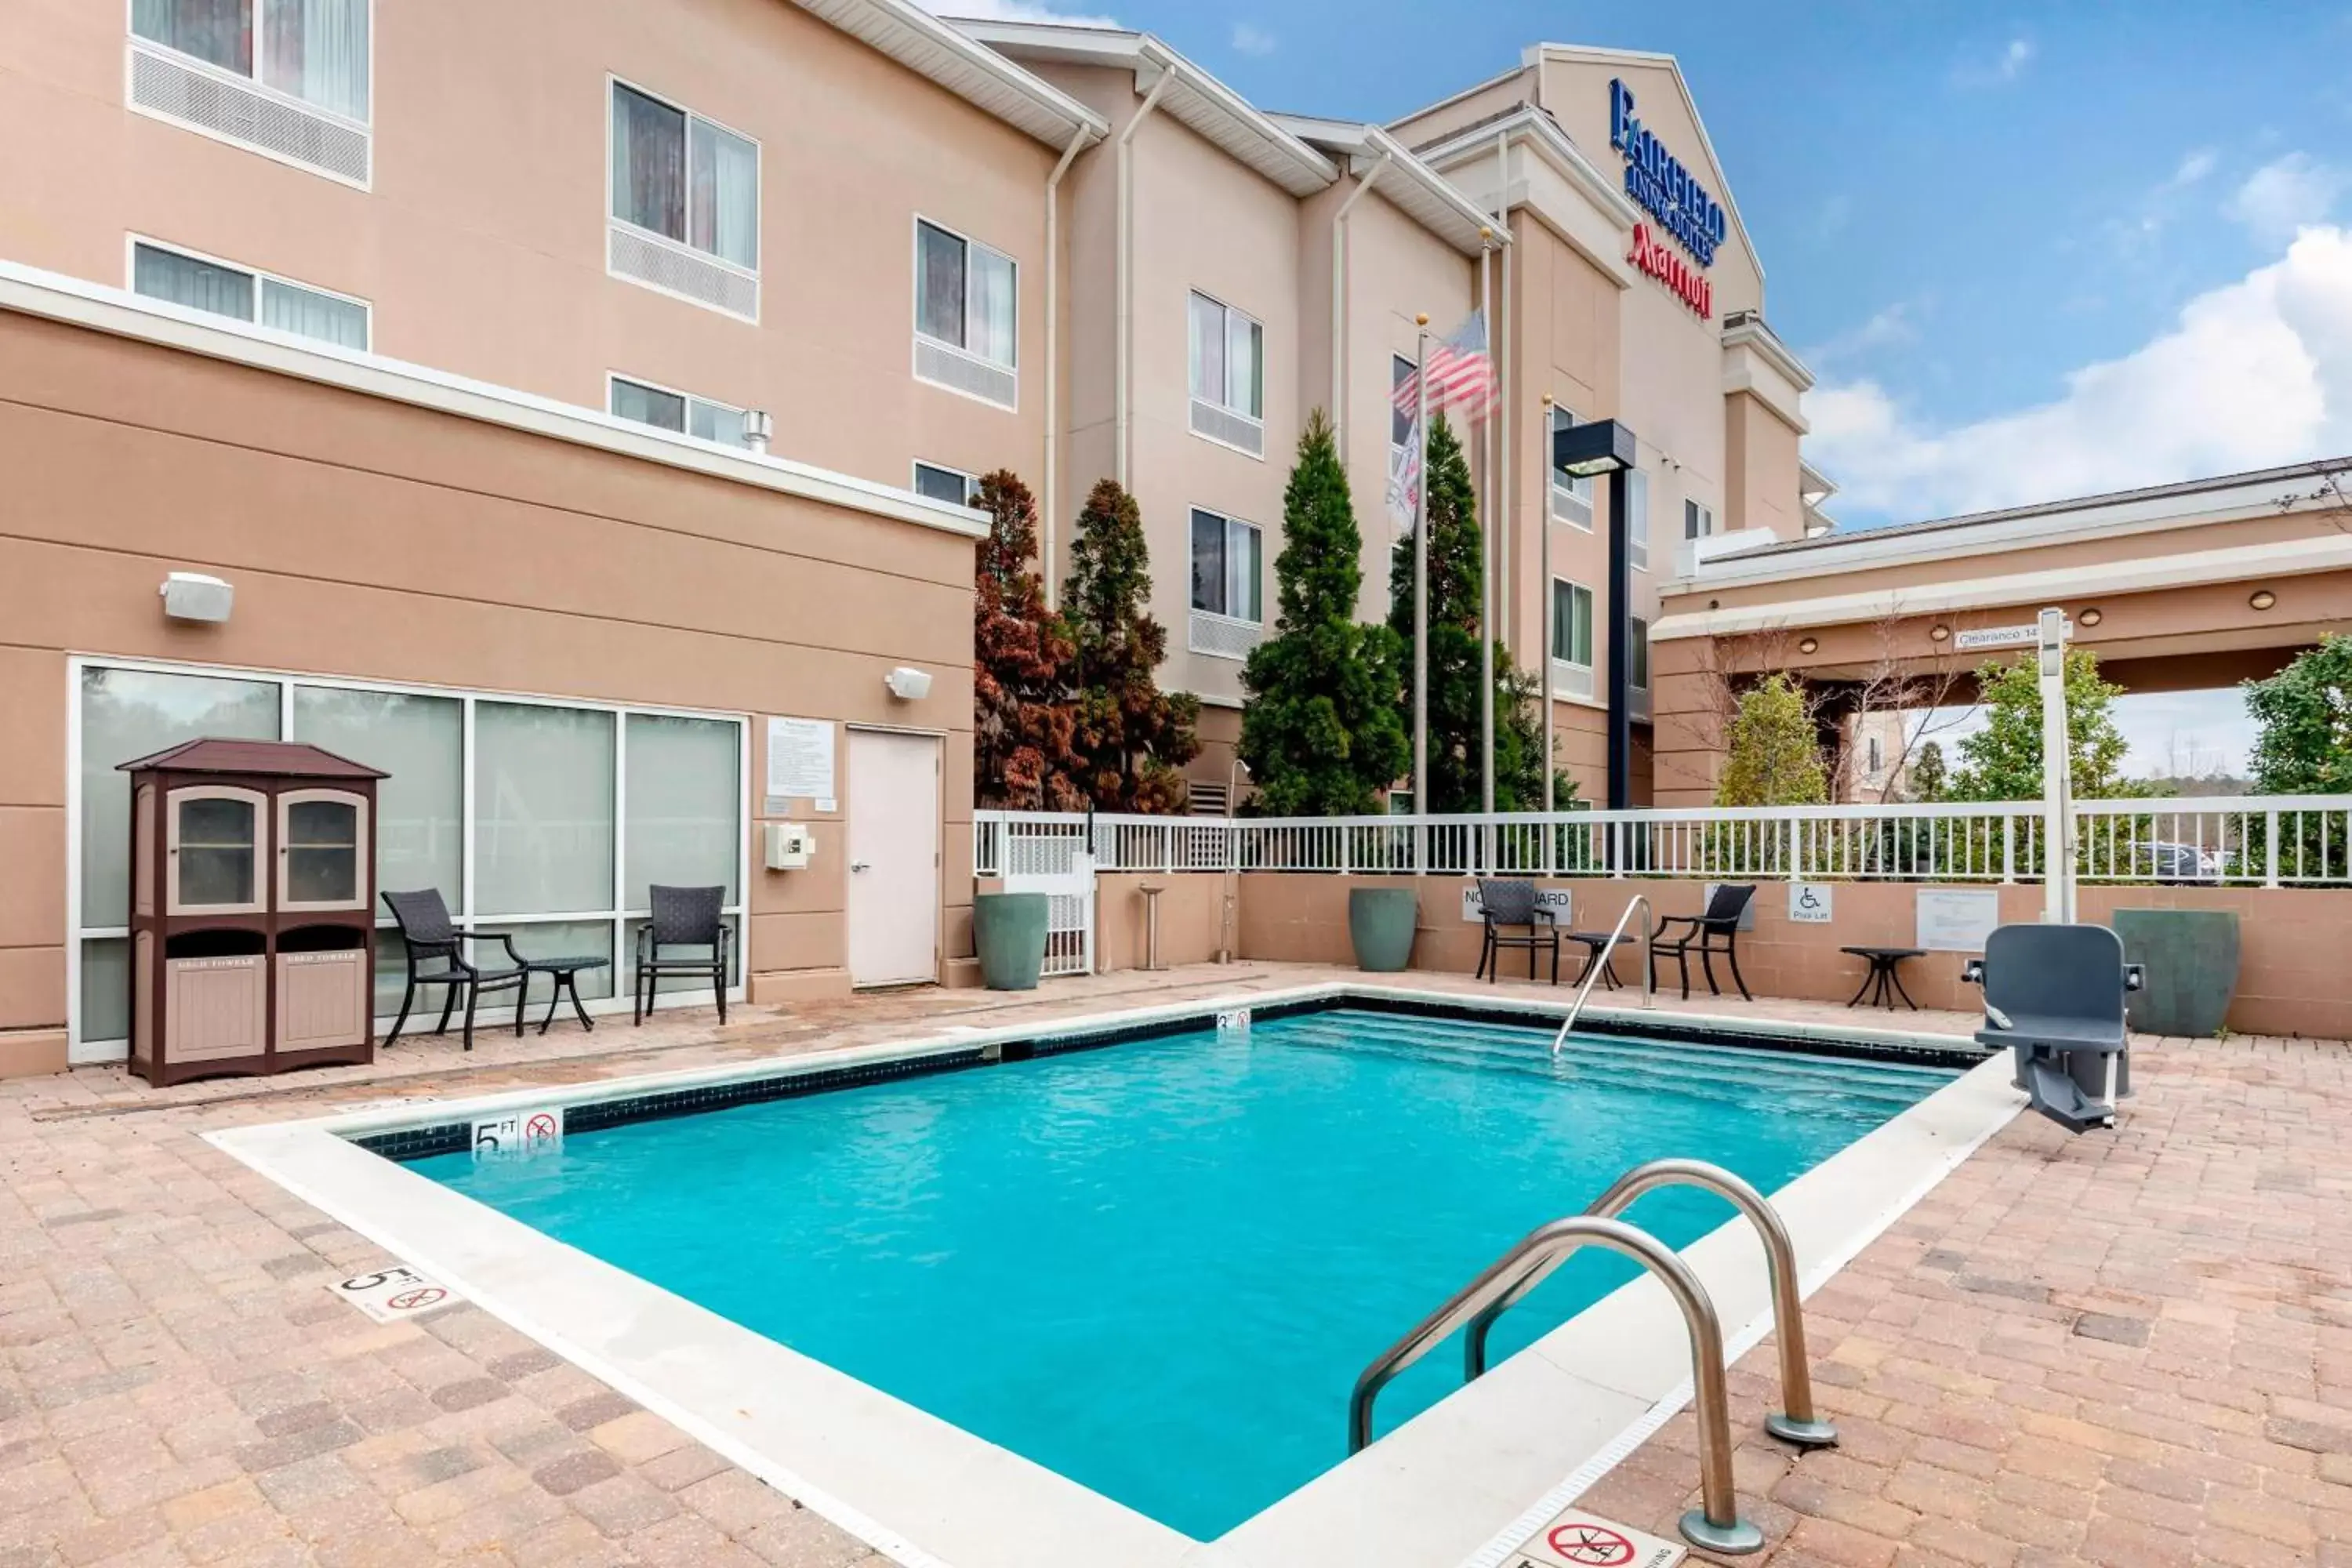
x: 1455, y: 655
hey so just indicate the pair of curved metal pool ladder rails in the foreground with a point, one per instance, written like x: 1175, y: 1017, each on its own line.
x: 1506, y: 1282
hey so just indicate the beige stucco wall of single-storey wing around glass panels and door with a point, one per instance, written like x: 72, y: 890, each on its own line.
x: 387, y: 542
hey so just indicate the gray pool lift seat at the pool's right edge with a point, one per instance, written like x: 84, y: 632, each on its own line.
x: 2057, y: 998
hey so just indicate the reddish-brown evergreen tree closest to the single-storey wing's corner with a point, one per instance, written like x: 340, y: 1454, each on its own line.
x: 1022, y: 718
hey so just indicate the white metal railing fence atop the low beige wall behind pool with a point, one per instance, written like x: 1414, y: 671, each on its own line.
x: 2278, y: 840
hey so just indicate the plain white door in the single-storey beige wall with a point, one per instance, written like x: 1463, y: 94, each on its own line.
x: 893, y: 859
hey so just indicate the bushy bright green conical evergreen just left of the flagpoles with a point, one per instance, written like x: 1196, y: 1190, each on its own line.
x: 1323, y: 735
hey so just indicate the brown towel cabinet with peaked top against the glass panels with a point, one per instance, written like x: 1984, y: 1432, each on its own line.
x: 253, y: 909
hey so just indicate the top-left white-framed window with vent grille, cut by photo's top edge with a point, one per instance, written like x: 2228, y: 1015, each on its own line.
x: 286, y: 79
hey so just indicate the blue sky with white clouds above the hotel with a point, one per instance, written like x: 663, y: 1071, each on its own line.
x: 2031, y: 250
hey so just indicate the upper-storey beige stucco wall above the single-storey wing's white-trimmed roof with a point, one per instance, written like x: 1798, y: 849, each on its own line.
x: 483, y: 239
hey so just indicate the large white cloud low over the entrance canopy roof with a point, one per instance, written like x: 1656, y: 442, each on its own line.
x: 2252, y: 373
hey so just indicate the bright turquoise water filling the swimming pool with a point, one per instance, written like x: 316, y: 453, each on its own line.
x: 1161, y: 1266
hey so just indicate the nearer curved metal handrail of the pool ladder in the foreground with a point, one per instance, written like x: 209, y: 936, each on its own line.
x: 1716, y: 1525
